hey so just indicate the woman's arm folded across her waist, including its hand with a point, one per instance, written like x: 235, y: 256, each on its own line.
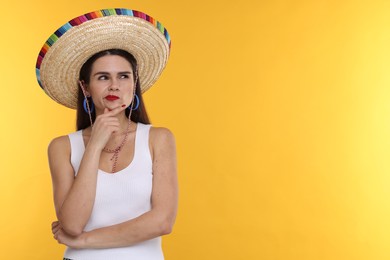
x: 156, y: 222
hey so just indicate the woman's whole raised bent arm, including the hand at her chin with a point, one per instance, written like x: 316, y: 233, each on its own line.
x: 74, y: 196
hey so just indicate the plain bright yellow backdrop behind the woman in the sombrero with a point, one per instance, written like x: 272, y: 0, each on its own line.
x: 281, y: 111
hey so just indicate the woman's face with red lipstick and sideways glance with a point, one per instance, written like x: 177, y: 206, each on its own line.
x: 111, y: 82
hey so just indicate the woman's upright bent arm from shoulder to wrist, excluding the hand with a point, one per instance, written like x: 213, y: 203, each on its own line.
x: 73, y: 196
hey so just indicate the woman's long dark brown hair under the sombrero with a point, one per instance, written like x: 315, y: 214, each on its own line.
x: 138, y: 115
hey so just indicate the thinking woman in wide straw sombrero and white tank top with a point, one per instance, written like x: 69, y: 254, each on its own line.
x: 114, y: 180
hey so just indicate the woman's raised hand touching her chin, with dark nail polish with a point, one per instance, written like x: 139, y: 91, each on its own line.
x: 105, y: 124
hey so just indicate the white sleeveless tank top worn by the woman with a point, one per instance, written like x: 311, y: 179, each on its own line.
x: 121, y: 196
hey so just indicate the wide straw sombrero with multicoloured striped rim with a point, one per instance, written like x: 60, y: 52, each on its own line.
x: 63, y: 54
